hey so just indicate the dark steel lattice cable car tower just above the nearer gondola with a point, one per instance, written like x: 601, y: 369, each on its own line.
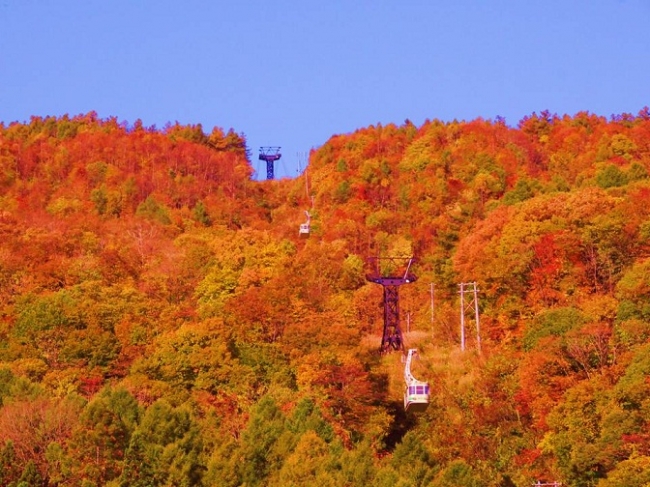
x: 392, y: 336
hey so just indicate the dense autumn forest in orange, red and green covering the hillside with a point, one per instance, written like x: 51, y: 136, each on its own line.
x: 163, y: 322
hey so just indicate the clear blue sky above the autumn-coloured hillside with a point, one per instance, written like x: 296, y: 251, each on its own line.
x: 293, y: 73
